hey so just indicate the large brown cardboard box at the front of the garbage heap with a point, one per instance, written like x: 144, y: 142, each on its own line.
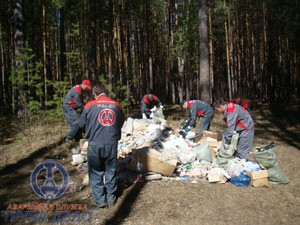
x: 150, y: 160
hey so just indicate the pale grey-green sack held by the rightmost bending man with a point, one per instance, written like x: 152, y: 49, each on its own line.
x: 226, y: 153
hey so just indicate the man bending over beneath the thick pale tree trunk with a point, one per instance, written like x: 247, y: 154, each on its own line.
x: 196, y: 109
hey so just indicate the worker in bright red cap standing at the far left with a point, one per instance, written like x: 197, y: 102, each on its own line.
x: 73, y: 102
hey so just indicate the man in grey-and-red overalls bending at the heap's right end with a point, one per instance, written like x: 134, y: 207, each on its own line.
x: 238, y: 119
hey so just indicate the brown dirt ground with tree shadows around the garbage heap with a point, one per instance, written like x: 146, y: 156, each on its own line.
x: 164, y: 201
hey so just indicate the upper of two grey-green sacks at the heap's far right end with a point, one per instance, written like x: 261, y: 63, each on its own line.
x: 266, y: 155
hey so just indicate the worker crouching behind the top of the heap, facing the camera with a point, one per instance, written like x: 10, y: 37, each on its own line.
x: 149, y: 104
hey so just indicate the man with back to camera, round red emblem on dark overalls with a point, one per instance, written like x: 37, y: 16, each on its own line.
x: 103, y: 119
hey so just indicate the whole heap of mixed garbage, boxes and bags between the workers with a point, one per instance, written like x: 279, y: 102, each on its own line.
x: 152, y: 149
